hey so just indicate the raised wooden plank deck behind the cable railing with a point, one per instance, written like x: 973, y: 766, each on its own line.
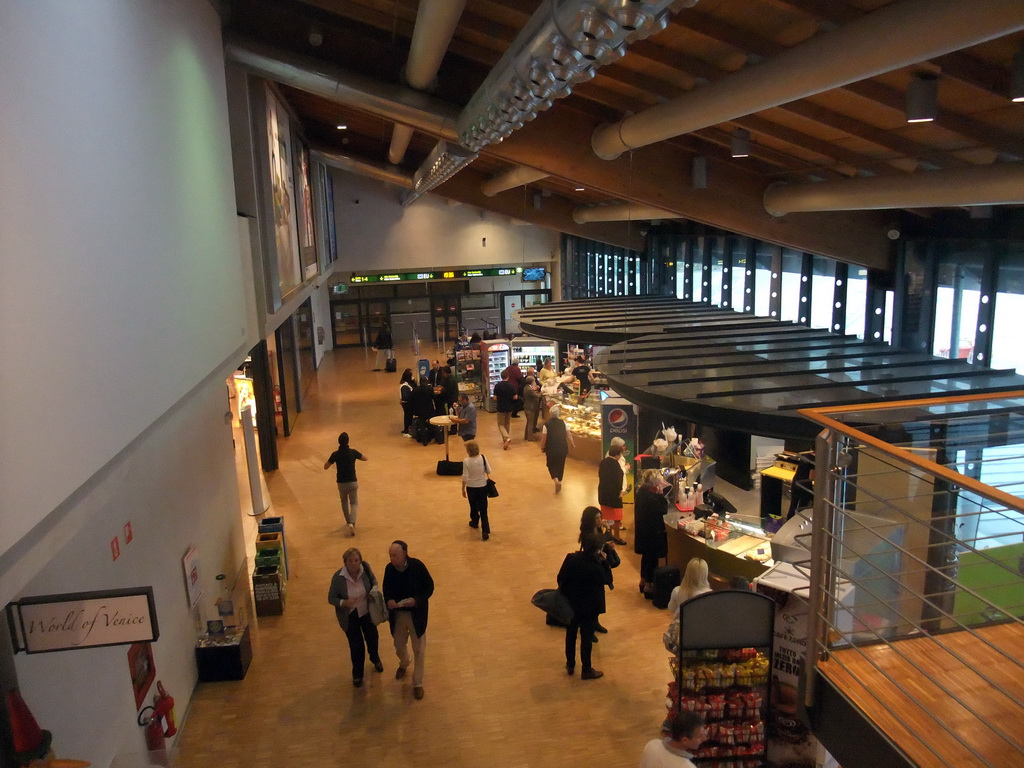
x: 938, y: 710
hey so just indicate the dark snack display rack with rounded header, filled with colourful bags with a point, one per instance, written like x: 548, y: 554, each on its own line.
x: 722, y: 670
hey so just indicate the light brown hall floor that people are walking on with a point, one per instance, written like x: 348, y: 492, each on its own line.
x: 497, y: 693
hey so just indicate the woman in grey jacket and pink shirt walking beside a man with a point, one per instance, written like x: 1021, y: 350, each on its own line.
x: 360, y: 606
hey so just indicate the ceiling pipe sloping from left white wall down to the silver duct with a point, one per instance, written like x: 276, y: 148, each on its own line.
x: 394, y: 103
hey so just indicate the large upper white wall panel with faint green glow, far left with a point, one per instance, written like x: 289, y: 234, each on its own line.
x: 120, y: 282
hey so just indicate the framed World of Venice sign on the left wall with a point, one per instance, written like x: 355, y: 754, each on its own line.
x: 83, y: 620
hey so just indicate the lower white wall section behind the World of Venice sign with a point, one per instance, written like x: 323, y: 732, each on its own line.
x: 177, y: 486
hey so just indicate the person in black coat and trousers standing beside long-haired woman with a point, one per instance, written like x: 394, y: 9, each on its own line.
x: 582, y: 580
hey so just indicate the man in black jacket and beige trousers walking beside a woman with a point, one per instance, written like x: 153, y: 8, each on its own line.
x: 408, y: 588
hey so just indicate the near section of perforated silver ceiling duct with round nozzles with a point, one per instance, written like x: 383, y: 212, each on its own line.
x: 564, y: 44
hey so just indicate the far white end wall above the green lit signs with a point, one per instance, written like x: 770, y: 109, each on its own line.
x: 379, y: 235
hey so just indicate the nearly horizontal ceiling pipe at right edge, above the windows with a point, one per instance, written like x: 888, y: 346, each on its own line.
x: 991, y: 185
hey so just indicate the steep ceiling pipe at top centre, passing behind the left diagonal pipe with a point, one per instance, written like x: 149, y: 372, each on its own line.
x: 436, y: 24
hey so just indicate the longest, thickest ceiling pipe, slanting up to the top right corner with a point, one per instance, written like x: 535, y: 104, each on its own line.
x: 899, y: 35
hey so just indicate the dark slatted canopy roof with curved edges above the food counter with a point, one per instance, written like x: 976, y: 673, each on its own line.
x: 727, y: 369
